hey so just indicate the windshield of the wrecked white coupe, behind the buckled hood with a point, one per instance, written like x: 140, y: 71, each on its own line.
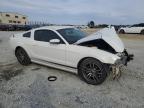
x: 71, y: 35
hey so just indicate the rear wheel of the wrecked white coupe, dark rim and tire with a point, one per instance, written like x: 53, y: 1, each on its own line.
x: 22, y: 56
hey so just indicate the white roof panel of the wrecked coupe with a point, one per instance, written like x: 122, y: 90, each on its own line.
x: 54, y: 27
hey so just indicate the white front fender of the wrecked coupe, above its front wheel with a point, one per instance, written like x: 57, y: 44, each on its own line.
x: 76, y: 53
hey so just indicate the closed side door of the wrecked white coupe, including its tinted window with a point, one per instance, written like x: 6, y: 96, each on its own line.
x: 42, y: 49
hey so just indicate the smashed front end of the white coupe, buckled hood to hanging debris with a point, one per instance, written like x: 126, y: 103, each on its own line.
x: 108, y: 40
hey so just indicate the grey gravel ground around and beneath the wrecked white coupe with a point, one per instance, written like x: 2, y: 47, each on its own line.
x: 28, y: 87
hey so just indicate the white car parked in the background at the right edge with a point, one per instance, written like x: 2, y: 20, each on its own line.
x: 132, y: 29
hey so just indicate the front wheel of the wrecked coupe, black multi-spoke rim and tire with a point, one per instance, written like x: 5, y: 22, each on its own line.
x: 92, y: 71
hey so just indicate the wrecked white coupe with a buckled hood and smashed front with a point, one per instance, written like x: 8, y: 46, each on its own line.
x: 70, y: 49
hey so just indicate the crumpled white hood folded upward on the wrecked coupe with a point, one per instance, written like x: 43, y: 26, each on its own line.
x: 109, y: 35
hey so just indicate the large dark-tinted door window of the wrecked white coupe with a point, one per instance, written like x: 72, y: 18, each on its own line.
x: 46, y: 36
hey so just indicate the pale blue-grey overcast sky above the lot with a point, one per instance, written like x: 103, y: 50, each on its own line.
x: 78, y: 11
